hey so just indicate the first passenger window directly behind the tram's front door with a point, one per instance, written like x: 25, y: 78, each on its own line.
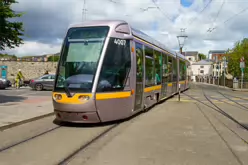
x: 149, y: 60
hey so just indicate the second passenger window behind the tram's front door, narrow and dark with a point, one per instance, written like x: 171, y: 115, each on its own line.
x: 157, y: 67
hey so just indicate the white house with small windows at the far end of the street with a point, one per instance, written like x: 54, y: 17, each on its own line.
x: 203, y: 68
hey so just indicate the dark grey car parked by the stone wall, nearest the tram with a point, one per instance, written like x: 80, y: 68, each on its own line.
x: 43, y: 82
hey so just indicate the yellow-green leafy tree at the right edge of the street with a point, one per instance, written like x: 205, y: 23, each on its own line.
x: 240, y: 50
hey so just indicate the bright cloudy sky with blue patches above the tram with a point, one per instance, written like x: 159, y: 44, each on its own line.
x: 46, y: 21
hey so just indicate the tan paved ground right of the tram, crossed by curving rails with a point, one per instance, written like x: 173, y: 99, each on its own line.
x: 174, y: 133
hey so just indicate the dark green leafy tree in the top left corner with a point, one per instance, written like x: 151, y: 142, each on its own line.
x: 10, y: 32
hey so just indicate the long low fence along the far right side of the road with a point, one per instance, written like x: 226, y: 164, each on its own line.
x: 221, y: 82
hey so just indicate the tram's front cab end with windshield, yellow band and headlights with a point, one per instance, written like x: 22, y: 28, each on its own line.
x: 91, y: 77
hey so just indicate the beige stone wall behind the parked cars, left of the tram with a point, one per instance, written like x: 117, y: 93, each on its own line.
x: 29, y: 69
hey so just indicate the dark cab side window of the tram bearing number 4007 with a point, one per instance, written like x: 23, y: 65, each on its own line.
x: 116, y: 66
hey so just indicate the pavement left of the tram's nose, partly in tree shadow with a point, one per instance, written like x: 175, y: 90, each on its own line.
x: 23, y: 105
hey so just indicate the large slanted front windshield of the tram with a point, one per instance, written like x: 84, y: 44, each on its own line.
x: 79, y: 58
